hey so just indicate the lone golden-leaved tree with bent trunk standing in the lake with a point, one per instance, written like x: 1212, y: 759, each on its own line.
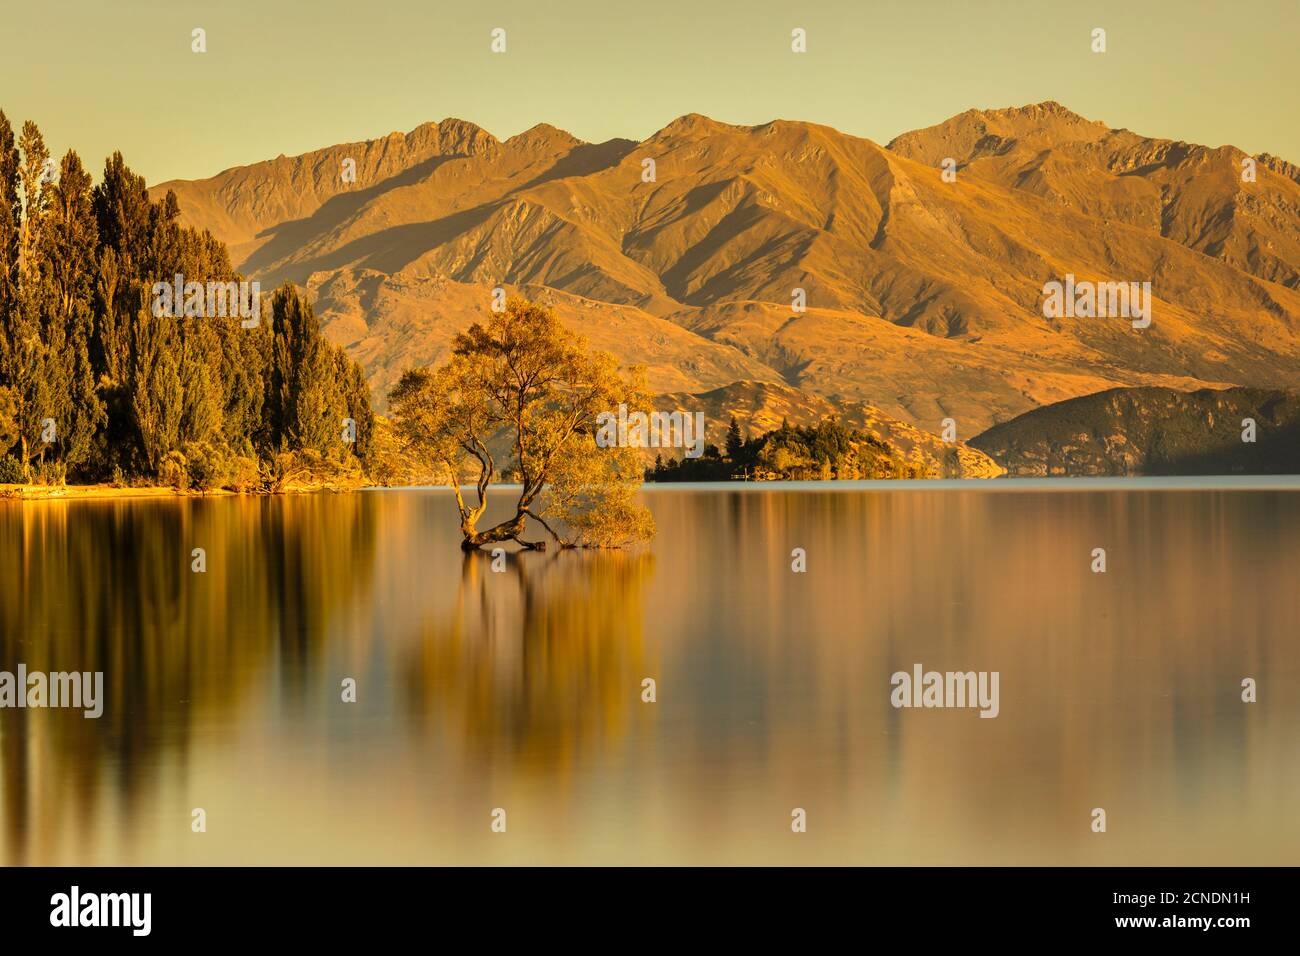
x: 527, y: 392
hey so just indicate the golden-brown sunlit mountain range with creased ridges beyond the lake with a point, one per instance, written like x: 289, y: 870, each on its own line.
x: 924, y: 296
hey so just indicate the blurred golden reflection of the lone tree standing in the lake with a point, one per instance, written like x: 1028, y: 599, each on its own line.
x: 539, y: 664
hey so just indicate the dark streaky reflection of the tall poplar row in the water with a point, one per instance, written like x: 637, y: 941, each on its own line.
x: 107, y: 587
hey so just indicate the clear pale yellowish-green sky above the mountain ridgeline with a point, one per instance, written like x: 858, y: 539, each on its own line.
x: 292, y: 76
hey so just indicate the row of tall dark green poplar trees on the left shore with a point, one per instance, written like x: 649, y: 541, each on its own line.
x: 97, y: 388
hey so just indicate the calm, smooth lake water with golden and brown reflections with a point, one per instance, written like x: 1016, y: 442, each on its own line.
x: 523, y: 690
